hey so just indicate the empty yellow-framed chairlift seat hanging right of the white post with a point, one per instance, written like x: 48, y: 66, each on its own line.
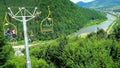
x: 47, y: 23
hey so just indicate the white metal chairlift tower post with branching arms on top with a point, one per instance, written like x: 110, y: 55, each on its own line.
x: 23, y: 15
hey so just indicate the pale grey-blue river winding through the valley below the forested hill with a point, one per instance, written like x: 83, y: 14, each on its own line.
x: 103, y: 25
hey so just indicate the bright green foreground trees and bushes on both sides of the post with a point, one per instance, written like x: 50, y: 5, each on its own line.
x: 91, y: 52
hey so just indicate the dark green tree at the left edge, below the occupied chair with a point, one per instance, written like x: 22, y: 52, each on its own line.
x: 6, y: 51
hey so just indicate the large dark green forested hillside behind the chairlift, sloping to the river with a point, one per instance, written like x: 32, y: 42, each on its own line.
x: 67, y: 16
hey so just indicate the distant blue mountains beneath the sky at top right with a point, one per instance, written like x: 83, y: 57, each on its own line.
x: 100, y: 4
